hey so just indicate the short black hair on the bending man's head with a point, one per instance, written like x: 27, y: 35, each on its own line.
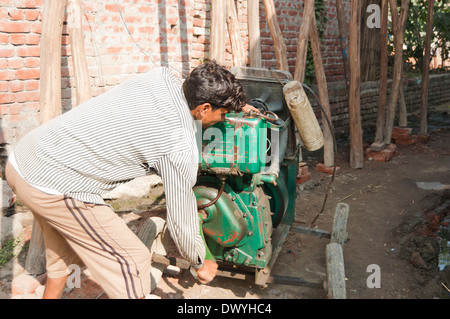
x: 212, y: 83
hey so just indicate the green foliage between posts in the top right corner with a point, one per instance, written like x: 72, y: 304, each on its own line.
x: 416, y: 30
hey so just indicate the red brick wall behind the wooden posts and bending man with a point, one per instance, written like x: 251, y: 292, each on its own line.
x: 174, y: 31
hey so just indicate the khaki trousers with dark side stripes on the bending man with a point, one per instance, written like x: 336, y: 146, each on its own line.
x: 81, y: 233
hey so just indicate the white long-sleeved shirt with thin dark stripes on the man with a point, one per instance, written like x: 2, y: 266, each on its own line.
x: 141, y: 127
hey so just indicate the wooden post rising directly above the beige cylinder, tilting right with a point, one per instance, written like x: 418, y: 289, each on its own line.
x: 302, y: 44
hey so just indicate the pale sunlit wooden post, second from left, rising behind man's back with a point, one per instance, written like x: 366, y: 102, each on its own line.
x: 76, y: 39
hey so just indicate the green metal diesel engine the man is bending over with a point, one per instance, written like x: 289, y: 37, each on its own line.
x: 248, y: 171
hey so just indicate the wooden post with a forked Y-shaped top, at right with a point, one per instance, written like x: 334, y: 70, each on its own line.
x: 399, y: 24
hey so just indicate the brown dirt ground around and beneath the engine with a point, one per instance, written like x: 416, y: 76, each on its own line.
x: 392, y: 224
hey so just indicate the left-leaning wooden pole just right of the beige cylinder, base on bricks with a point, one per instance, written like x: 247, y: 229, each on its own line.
x: 323, y: 93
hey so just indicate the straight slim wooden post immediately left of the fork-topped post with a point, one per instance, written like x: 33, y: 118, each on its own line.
x: 379, y: 144
